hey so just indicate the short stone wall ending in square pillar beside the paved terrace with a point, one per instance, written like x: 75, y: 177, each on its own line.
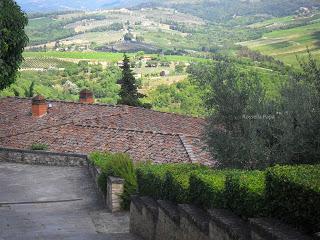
x: 111, y: 196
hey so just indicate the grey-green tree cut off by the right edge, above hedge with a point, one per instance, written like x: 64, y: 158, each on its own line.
x: 299, y: 121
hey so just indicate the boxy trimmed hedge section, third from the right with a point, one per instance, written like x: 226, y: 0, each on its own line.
x: 207, y: 189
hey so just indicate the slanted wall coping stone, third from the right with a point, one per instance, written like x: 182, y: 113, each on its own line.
x: 196, y: 215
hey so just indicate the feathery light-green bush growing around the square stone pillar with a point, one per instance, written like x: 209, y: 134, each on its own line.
x: 116, y: 165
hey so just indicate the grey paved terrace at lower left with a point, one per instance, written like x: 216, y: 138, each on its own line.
x: 54, y: 203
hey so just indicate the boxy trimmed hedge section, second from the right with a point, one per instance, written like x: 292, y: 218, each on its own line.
x: 245, y: 193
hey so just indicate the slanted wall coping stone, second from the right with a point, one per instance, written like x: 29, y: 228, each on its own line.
x: 231, y: 223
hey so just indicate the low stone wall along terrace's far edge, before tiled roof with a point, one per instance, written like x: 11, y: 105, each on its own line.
x: 41, y: 157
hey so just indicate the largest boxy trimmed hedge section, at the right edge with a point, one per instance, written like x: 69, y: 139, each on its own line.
x: 293, y: 195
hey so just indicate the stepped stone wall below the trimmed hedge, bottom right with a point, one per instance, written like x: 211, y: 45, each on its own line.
x: 150, y: 219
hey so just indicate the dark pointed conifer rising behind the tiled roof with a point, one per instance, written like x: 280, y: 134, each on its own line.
x: 128, y: 93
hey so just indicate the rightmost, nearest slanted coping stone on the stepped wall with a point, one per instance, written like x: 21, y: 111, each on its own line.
x: 275, y: 230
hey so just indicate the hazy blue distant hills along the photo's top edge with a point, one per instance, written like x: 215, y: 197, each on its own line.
x: 209, y: 9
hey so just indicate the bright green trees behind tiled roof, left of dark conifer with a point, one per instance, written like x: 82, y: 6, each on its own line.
x: 65, y: 85
